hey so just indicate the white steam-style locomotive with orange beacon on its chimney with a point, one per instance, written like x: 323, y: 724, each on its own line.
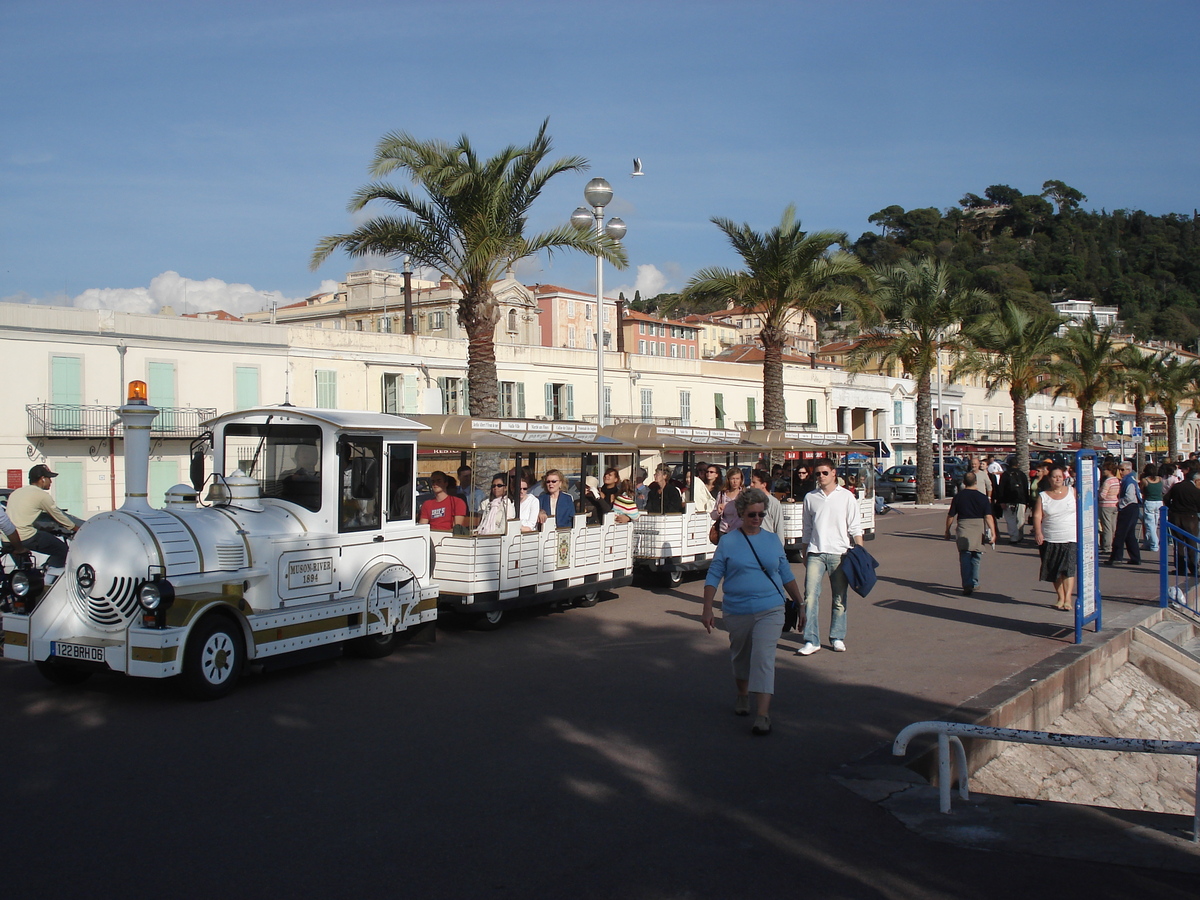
x: 309, y: 541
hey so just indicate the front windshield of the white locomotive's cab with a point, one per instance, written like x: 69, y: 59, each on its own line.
x: 285, y: 460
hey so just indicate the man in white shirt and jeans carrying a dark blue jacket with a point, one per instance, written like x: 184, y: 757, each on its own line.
x: 831, y: 524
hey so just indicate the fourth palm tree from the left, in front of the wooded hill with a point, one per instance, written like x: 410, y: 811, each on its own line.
x: 1012, y: 349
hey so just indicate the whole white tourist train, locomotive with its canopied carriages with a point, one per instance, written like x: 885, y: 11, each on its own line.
x: 313, y: 535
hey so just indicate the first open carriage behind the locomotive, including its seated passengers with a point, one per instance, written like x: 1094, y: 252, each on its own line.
x: 530, y: 521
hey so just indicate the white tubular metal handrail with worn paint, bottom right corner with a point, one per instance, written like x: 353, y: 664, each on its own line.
x: 947, y: 733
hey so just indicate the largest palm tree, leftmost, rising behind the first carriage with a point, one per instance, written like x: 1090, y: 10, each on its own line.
x: 470, y: 226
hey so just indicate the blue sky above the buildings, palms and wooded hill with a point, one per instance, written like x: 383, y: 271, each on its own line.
x: 221, y: 141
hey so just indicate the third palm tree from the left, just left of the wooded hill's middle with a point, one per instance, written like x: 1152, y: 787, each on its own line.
x: 915, y: 316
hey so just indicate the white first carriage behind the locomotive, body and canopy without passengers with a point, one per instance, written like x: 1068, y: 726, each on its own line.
x: 484, y: 575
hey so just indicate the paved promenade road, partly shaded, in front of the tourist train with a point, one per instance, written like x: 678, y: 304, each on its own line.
x: 585, y: 754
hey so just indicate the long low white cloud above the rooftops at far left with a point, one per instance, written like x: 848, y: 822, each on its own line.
x: 172, y: 290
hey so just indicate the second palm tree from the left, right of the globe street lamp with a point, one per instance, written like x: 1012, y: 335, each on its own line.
x: 788, y: 273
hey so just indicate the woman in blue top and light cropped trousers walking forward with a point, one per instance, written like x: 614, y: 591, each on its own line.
x: 757, y: 573
